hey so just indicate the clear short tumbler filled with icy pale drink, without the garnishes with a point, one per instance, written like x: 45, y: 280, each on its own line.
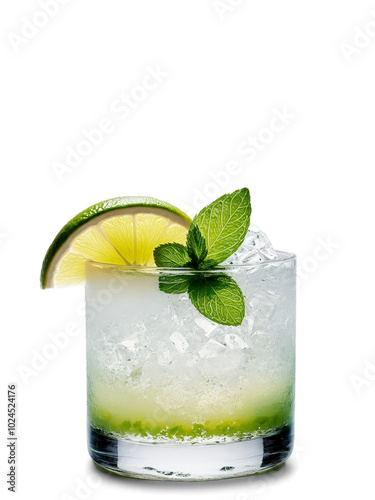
x: 173, y: 395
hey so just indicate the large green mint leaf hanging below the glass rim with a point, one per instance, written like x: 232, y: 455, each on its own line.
x: 218, y: 298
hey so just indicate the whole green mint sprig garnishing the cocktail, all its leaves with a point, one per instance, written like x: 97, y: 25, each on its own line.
x: 215, y: 234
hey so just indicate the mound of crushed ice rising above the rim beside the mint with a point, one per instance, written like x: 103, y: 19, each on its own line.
x: 255, y: 248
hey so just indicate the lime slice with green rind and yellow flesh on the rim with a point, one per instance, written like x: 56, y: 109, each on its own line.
x: 121, y: 231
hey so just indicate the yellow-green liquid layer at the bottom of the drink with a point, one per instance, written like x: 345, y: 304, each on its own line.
x: 116, y: 412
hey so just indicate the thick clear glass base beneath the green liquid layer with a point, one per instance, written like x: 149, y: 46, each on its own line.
x: 190, y: 462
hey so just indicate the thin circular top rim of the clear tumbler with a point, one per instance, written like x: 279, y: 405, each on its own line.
x: 283, y: 257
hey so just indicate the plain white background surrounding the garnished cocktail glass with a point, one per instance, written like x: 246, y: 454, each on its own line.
x: 228, y: 70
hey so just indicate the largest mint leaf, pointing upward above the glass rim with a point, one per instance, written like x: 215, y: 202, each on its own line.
x: 224, y: 224
